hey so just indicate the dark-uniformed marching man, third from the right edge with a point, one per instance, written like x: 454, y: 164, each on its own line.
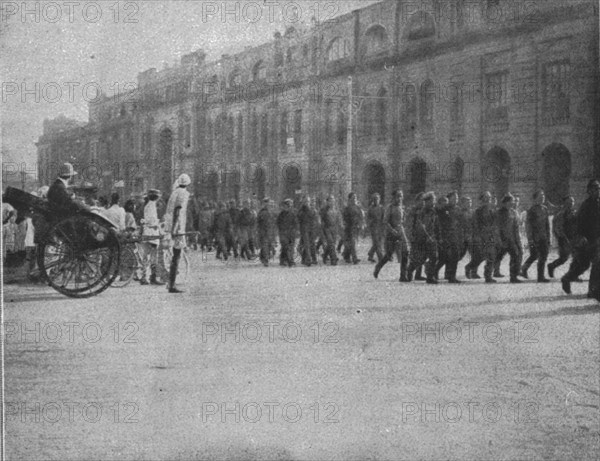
x: 538, y: 236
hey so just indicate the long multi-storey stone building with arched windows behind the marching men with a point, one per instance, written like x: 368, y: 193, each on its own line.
x: 499, y: 95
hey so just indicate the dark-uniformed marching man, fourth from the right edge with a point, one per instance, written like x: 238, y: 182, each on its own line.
x: 510, y: 239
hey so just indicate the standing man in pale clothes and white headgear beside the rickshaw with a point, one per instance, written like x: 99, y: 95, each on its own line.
x: 175, y: 220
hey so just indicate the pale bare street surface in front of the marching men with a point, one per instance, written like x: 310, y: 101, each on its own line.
x: 304, y: 363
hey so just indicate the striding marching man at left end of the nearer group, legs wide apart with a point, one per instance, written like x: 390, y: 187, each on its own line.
x: 395, y: 237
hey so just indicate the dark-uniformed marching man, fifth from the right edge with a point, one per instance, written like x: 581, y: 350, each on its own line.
x: 485, y: 238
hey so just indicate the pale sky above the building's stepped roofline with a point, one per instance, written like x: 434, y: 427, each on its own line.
x: 54, y: 54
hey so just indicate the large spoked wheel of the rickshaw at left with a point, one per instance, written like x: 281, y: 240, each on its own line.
x: 79, y: 256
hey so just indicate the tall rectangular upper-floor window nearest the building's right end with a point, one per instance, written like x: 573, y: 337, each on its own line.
x: 556, y: 101
